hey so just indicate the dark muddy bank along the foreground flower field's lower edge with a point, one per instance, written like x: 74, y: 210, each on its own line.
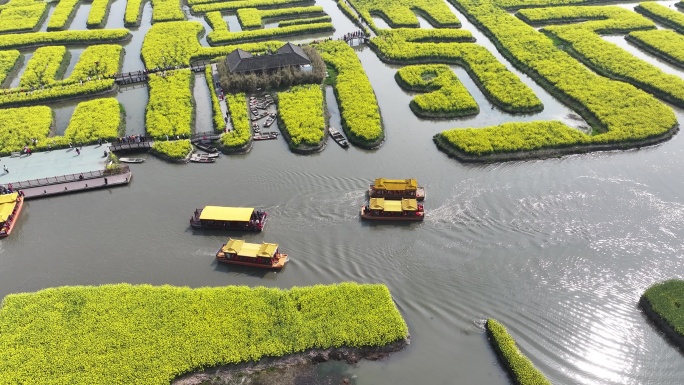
x: 291, y: 365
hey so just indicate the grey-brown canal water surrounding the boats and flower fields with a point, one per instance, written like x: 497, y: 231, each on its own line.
x: 558, y: 250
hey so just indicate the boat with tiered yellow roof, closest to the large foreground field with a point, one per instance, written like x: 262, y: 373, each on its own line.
x: 239, y: 252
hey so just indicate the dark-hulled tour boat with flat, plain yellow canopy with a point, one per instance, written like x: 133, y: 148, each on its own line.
x: 229, y: 218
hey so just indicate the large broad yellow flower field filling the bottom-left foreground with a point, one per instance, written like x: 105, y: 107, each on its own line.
x: 125, y: 334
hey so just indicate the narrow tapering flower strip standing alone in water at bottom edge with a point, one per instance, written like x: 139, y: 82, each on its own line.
x: 520, y: 367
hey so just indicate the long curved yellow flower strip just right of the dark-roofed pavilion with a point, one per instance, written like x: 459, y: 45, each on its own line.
x: 358, y: 105
